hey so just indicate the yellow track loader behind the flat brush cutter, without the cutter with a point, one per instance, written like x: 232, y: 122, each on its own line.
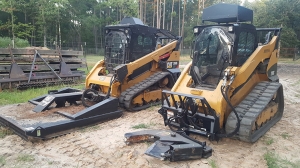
x: 136, y: 68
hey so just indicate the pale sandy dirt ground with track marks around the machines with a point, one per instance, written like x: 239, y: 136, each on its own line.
x: 103, y: 145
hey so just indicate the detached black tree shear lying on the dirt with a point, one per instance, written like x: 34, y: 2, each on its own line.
x: 170, y: 145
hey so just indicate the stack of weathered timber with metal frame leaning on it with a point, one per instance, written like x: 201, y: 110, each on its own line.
x: 24, y: 68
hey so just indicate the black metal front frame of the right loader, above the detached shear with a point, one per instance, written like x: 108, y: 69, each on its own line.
x: 186, y: 112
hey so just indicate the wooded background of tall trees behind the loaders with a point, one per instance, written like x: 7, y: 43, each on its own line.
x: 75, y: 23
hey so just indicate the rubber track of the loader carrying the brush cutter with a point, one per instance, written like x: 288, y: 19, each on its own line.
x: 128, y: 95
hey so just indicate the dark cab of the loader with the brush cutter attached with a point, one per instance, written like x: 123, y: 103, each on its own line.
x: 127, y: 42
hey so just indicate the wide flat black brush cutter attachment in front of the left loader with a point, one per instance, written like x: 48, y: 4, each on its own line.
x: 45, y: 123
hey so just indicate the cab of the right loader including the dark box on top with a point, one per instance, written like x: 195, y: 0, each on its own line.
x: 227, y: 43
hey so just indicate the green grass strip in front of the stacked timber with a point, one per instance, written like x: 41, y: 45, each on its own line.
x: 20, y: 96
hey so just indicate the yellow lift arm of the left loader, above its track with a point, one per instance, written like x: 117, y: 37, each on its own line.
x: 125, y: 70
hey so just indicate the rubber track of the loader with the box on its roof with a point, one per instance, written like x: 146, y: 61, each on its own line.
x: 250, y: 108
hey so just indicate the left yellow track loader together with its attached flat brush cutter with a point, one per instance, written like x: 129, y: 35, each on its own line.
x: 140, y: 61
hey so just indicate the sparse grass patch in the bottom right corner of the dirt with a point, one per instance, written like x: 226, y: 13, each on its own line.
x: 274, y: 161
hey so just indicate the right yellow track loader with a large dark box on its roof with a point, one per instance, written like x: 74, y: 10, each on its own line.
x: 231, y: 87
